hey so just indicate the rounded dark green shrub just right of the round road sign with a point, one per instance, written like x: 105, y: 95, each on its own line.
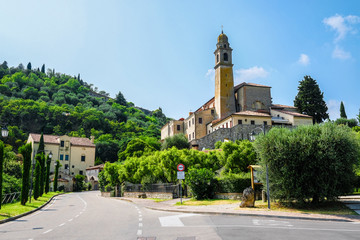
x: 201, y: 182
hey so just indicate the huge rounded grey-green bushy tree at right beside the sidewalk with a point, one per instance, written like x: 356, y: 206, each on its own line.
x: 309, y: 163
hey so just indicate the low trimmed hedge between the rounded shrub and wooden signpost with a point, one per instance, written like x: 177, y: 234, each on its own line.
x: 233, y: 183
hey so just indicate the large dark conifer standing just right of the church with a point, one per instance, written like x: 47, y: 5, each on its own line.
x: 310, y: 100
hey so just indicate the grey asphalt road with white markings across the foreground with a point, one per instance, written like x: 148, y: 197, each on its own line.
x: 89, y: 216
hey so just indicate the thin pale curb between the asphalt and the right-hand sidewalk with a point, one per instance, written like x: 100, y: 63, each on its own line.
x: 349, y: 219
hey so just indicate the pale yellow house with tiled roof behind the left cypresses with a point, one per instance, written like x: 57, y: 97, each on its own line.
x: 74, y: 153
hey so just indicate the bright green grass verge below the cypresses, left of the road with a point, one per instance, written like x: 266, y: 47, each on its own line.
x: 14, y: 209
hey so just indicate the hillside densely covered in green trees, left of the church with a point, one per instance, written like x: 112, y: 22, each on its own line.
x: 33, y: 100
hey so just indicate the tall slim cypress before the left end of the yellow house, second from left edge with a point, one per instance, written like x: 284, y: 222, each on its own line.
x: 26, y: 152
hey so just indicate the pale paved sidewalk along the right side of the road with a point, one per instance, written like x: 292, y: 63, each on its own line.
x: 232, y: 209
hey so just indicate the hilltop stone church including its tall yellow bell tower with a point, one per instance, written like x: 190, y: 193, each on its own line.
x: 246, y: 104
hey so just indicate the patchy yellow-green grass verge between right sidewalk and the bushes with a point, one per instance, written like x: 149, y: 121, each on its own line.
x: 330, y: 208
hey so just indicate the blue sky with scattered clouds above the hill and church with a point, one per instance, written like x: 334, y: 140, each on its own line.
x: 160, y: 53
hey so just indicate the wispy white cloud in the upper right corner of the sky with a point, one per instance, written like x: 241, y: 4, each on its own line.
x: 342, y: 25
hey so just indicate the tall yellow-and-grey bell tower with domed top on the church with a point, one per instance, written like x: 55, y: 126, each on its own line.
x: 224, y: 79
